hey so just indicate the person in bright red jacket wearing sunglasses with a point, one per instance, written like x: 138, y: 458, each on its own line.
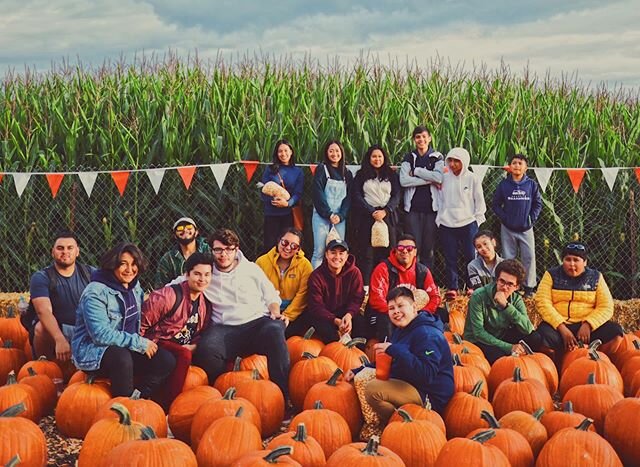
x: 401, y: 268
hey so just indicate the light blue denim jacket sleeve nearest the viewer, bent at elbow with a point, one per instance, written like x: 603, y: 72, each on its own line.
x: 93, y: 306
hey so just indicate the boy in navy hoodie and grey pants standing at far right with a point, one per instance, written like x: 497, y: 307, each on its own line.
x: 517, y: 203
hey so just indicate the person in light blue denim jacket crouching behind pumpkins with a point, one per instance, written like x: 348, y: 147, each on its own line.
x: 107, y: 338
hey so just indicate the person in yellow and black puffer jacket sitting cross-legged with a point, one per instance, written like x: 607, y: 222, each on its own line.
x: 575, y: 304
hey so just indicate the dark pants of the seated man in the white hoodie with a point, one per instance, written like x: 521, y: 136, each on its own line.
x: 263, y: 336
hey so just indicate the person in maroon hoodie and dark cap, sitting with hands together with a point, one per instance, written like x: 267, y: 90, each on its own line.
x: 335, y: 294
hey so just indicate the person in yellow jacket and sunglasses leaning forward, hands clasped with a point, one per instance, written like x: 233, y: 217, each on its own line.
x: 288, y: 270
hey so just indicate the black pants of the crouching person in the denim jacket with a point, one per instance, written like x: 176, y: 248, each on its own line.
x: 122, y: 365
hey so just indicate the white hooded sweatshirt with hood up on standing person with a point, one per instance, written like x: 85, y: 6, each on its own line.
x: 460, y: 200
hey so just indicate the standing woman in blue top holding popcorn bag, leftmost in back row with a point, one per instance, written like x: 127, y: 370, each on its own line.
x: 278, y: 214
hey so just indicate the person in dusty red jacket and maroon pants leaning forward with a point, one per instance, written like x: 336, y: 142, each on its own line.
x: 174, y: 316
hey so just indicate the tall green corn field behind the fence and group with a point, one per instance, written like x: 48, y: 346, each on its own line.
x: 172, y: 113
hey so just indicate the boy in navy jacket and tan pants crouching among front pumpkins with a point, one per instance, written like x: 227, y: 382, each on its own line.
x: 422, y: 366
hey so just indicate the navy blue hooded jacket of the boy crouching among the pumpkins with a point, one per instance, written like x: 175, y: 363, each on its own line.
x: 422, y: 358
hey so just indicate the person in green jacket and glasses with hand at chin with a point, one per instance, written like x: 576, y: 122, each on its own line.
x: 497, y: 318
